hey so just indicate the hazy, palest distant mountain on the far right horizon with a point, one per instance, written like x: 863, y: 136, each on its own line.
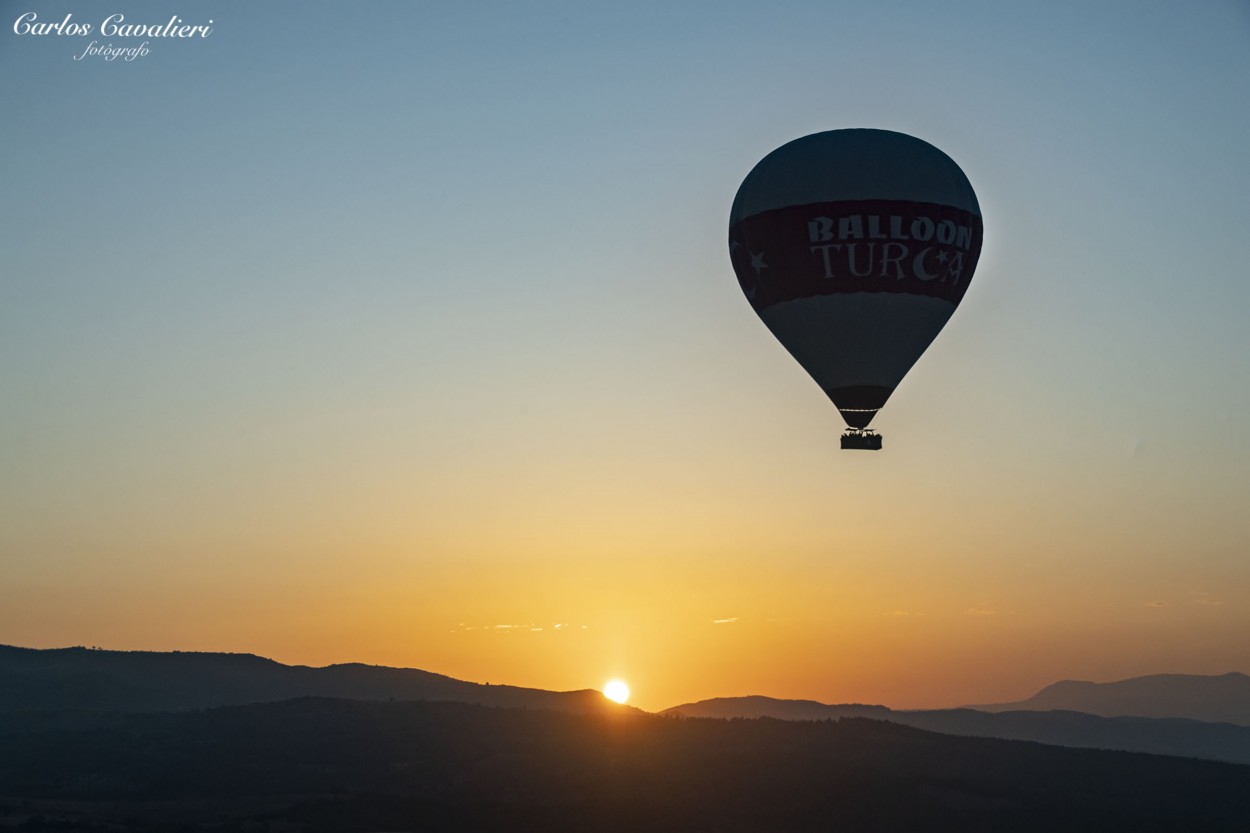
x: 1219, y: 700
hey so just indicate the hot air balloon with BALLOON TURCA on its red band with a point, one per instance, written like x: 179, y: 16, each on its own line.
x: 856, y: 247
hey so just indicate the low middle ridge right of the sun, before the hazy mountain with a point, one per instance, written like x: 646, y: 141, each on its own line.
x: 1158, y: 736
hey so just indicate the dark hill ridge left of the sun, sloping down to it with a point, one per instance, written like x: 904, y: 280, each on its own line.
x: 114, y: 681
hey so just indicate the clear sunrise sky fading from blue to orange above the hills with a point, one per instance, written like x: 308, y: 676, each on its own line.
x: 406, y: 333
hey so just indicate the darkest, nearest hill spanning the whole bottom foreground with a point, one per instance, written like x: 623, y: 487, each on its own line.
x: 321, y: 766
